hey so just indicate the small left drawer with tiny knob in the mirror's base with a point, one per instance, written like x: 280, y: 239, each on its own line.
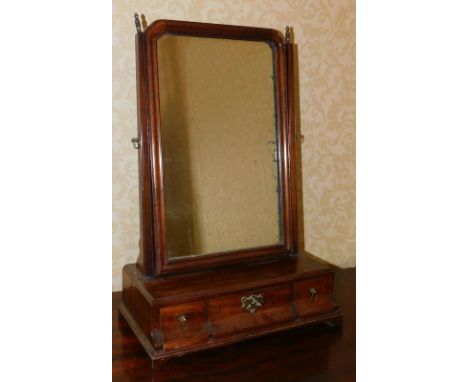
x: 183, y: 325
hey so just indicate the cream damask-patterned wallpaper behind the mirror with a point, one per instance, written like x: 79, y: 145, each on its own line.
x: 324, y: 31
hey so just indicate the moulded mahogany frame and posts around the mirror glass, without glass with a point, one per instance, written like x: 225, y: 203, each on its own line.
x: 153, y: 260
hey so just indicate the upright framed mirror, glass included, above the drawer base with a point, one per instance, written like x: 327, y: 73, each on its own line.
x: 214, y: 156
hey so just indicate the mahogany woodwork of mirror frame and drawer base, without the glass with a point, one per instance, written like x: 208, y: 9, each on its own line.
x: 158, y: 291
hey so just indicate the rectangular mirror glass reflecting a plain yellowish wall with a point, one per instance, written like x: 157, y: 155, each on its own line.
x: 219, y: 145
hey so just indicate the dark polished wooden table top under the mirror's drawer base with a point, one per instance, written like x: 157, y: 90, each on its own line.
x: 315, y: 353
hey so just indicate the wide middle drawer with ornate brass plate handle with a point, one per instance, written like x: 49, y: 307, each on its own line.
x: 250, y: 310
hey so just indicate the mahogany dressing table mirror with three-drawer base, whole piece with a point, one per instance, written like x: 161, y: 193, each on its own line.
x: 219, y: 259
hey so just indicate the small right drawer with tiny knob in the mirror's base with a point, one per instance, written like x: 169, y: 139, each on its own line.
x: 314, y: 296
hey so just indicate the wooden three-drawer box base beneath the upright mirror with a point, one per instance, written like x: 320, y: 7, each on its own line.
x: 176, y: 315
